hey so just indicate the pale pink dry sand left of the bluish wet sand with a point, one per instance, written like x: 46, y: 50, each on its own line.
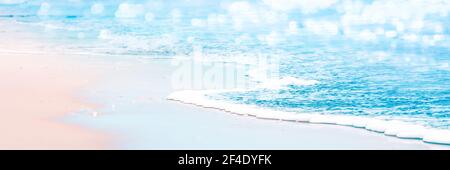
x: 36, y: 90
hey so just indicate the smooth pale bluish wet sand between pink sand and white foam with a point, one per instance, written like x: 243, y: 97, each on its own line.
x: 137, y: 111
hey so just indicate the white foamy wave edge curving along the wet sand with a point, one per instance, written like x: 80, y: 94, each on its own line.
x: 388, y: 127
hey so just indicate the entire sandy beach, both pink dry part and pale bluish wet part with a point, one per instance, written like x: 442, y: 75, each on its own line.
x: 43, y: 94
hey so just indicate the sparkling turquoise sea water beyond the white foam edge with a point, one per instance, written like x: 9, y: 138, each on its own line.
x: 387, y: 59
